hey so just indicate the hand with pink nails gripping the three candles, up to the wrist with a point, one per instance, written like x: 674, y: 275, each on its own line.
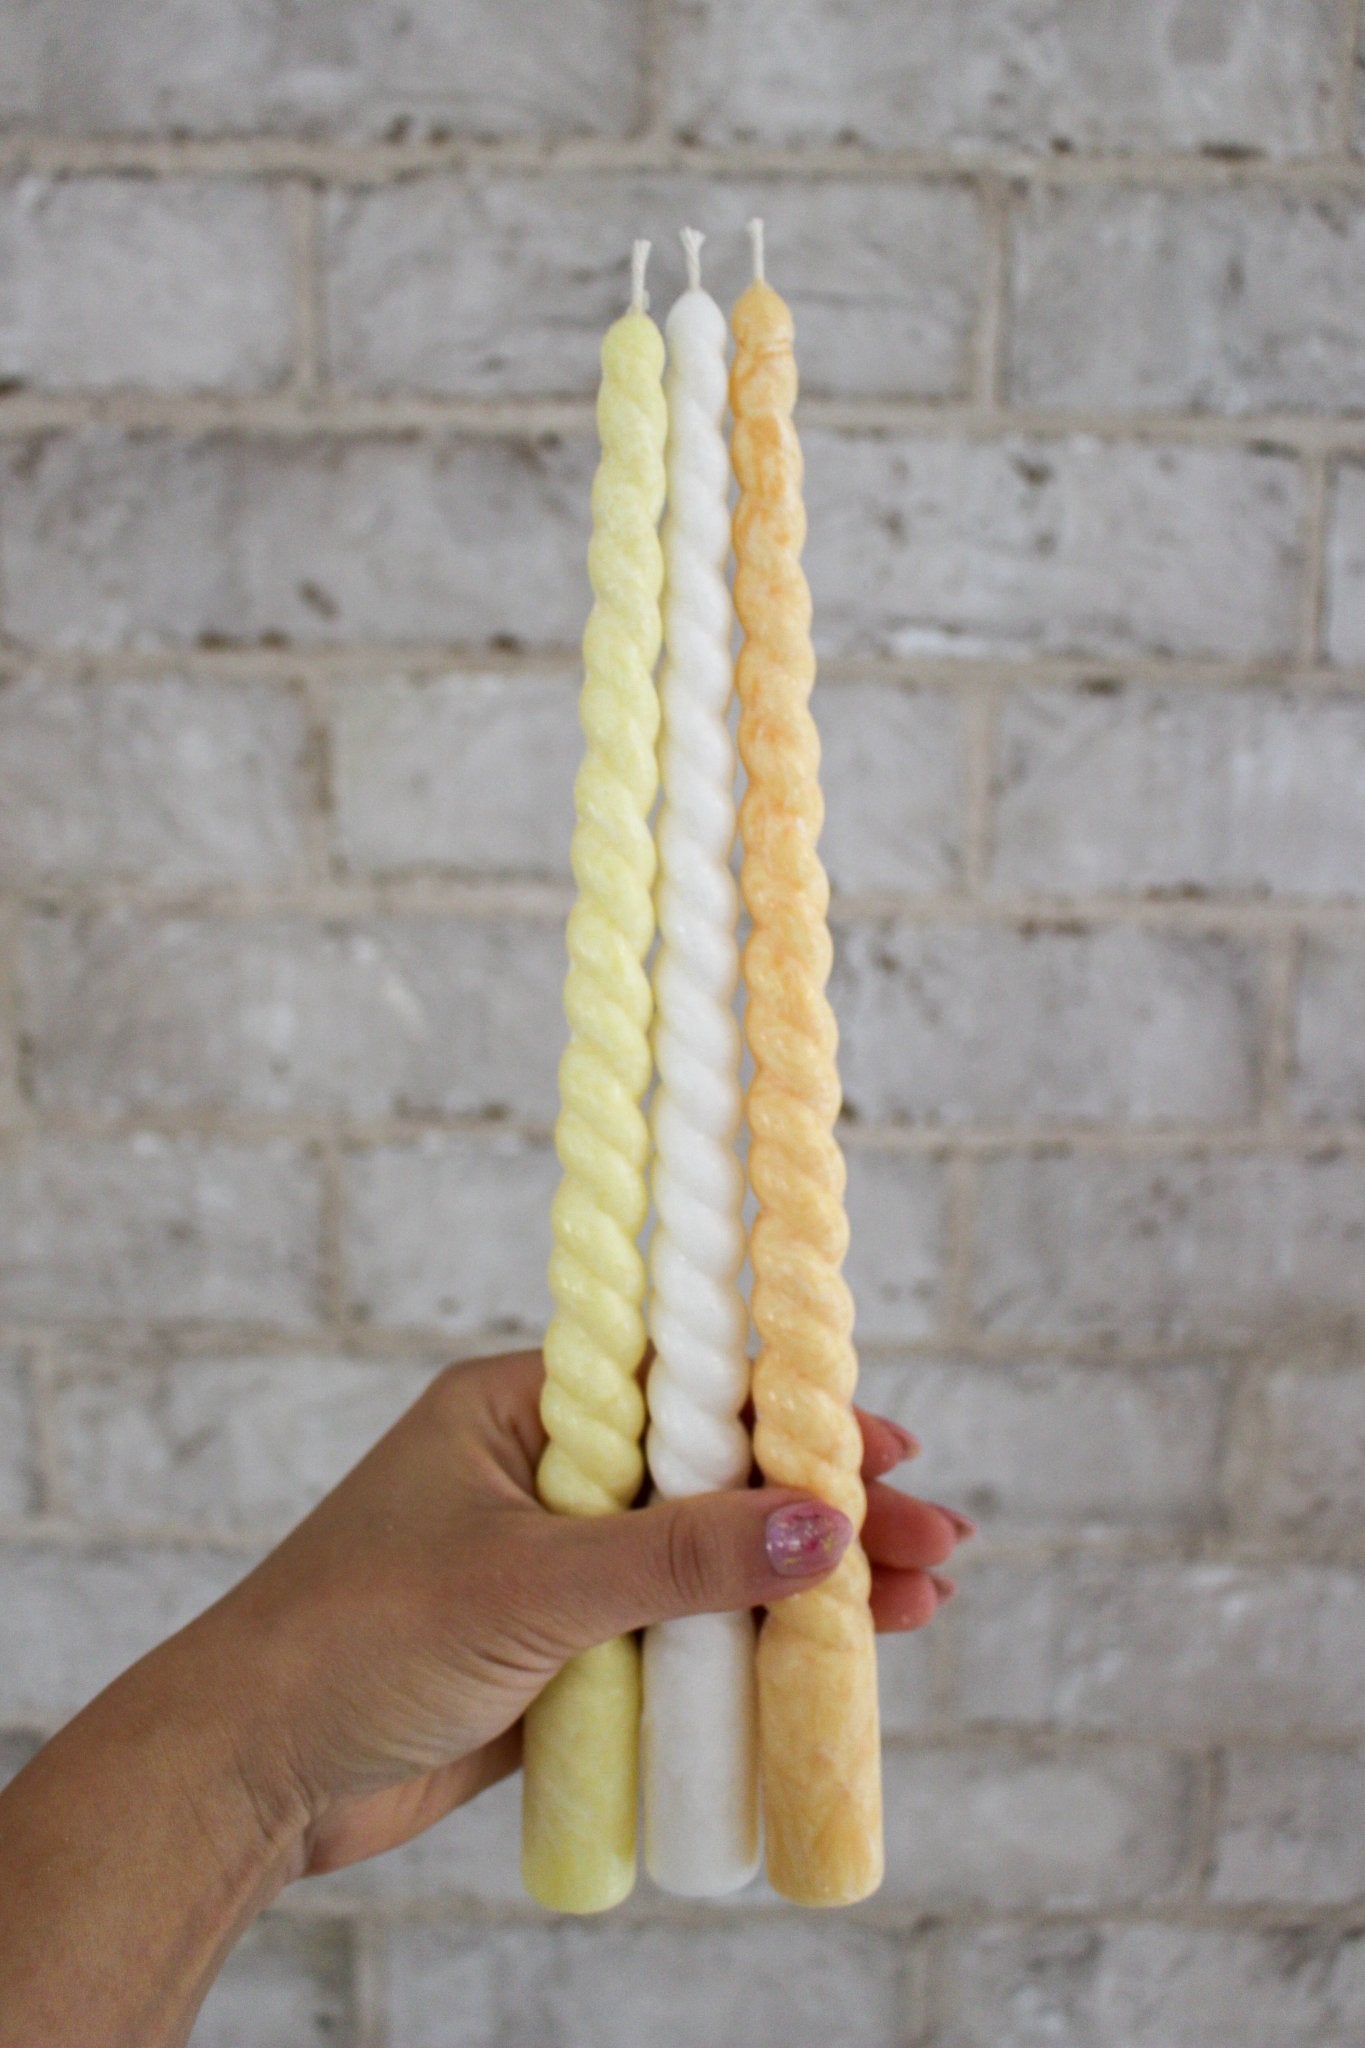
x: 416, y: 1613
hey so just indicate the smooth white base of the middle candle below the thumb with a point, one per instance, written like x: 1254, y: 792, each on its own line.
x: 699, y: 1756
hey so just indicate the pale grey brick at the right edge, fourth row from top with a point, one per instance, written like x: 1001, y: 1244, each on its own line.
x: 1184, y: 792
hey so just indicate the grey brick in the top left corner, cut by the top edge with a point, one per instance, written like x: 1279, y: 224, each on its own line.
x: 384, y: 69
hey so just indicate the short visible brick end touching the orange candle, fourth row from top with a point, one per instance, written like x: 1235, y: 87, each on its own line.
x: 893, y: 775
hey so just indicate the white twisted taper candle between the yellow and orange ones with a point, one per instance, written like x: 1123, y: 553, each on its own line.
x: 699, y: 1744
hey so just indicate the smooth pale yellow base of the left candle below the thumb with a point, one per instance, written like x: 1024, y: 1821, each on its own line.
x: 582, y: 1785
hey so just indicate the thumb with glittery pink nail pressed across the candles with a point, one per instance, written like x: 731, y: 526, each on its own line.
x: 701, y: 1555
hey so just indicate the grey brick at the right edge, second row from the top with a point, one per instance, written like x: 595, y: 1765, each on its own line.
x: 1213, y: 302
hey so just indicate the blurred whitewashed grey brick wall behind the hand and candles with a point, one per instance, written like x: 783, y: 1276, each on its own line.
x: 298, y: 335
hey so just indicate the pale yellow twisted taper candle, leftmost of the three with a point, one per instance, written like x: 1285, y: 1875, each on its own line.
x: 582, y: 1734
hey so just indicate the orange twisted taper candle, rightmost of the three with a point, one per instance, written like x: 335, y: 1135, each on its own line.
x: 820, y: 1744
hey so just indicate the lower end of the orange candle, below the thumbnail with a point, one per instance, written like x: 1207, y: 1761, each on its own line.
x: 822, y: 1754
